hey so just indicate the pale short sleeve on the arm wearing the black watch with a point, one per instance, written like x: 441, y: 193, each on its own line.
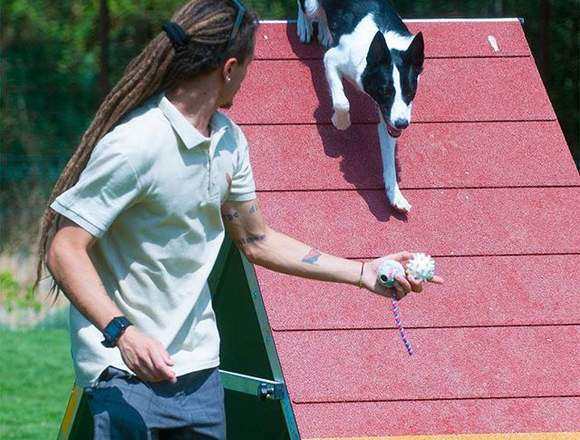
x: 106, y: 187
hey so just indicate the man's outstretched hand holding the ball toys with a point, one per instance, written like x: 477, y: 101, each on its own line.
x: 403, y: 284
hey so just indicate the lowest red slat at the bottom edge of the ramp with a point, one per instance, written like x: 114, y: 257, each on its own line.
x: 514, y: 415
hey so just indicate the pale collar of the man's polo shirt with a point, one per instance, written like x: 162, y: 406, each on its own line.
x: 190, y: 135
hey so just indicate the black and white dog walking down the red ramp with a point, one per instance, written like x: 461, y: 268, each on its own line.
x: 369, y: 45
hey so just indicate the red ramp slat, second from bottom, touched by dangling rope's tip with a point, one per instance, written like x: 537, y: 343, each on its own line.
x: 463, y: 363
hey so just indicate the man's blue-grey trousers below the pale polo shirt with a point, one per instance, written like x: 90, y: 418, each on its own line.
x: 126, y: 408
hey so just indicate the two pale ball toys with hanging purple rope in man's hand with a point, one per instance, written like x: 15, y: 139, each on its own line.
x: 421, y: 267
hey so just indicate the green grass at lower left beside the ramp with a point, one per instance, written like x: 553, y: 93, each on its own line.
x: 36, y: 377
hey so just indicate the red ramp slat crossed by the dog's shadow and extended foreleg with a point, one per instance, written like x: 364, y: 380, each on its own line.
x: 428, y: 155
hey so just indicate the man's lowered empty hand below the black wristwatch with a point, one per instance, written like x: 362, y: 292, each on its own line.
x: 145, y: 356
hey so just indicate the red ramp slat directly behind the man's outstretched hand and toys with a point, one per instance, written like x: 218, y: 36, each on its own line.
x: 481, y: 291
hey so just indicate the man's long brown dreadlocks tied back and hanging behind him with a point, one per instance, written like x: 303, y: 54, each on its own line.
x: 208, y: 25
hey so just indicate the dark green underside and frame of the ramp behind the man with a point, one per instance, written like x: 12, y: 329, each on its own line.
x: 257, y: 403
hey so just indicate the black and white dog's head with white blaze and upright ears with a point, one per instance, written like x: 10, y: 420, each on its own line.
x: 391, y: 78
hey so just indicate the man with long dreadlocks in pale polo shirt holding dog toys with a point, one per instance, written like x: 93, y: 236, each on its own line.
x: 136, y: 221
